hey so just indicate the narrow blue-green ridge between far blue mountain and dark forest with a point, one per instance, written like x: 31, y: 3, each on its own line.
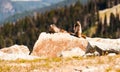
x: 31, y: 12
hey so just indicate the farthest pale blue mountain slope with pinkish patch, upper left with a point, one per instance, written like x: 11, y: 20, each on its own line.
x: 8, y: 7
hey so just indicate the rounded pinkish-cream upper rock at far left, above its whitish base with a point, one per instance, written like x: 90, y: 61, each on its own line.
x: 16, y: 49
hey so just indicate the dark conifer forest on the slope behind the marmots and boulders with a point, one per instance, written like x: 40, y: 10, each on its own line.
x: 26, y: 31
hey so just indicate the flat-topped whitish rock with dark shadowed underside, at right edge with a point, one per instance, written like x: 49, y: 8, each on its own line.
x: 104, y: 46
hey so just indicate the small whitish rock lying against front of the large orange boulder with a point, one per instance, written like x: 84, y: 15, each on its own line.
x: 73, y: 52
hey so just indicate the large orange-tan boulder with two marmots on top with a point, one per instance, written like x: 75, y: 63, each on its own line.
x: 51, y: 45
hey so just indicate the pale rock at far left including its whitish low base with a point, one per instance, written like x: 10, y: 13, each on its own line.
x: 16, y: 52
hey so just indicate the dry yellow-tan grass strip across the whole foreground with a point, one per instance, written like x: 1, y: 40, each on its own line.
x: 103, y: 63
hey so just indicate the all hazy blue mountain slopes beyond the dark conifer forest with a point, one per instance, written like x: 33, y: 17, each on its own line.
x: 20, y: 9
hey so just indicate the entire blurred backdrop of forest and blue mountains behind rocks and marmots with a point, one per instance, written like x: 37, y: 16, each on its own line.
x: 21, y: 21
